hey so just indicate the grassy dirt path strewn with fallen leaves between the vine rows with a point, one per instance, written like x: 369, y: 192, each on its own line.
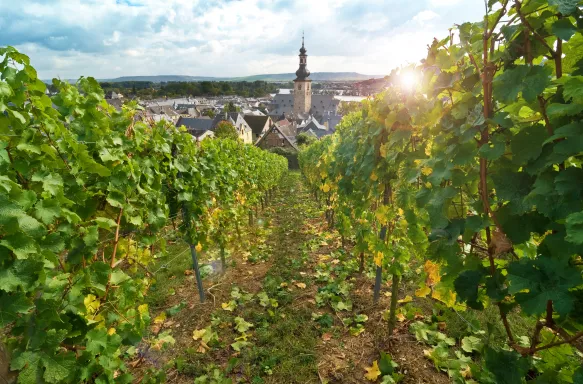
x: 291, y: 308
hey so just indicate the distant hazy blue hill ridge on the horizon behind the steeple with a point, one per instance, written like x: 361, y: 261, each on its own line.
x: 315, y: 76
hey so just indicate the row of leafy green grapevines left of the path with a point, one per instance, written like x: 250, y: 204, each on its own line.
x: 86, y: 193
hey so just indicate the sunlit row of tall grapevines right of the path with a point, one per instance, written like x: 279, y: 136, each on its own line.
x: 477, y: 170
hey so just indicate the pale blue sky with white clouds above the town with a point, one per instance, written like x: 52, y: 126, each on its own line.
x: 225, y: 38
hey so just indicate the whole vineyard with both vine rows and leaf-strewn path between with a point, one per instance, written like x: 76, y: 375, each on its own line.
x: 436, y: 237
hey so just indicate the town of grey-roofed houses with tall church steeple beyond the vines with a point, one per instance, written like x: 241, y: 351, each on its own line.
x: 274, y: 120
